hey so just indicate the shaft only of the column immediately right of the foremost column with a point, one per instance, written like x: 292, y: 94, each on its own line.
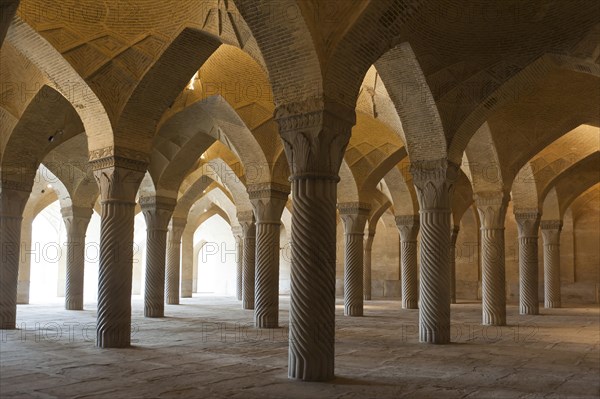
x: 353, y: 275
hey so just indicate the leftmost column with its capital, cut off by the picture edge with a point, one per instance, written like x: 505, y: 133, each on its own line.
x: 13, y: 197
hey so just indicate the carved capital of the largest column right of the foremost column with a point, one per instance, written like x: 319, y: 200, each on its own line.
x: 434, y: 182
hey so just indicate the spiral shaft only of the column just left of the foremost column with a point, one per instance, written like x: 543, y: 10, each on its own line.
x: 266, y: 283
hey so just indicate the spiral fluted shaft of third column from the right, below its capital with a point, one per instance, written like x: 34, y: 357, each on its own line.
x: 493, y: 302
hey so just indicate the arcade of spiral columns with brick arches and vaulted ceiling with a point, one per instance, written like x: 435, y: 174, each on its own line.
x: 430, y: 158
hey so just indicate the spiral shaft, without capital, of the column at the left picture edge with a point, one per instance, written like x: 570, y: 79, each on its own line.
x: 10, y: 228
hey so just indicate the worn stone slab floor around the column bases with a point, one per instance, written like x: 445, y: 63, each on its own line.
x: 207, y: 348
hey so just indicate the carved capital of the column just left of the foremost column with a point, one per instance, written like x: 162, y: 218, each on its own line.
x: 268, y: 201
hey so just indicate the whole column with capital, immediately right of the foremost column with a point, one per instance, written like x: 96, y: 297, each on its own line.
x: 354, y: 216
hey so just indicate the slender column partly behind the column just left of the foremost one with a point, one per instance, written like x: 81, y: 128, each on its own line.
x: 246, y: 219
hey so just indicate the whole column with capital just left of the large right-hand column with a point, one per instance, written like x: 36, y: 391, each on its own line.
x: 408, y: 227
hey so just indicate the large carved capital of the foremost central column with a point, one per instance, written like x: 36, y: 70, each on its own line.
x: 315, y: 134
